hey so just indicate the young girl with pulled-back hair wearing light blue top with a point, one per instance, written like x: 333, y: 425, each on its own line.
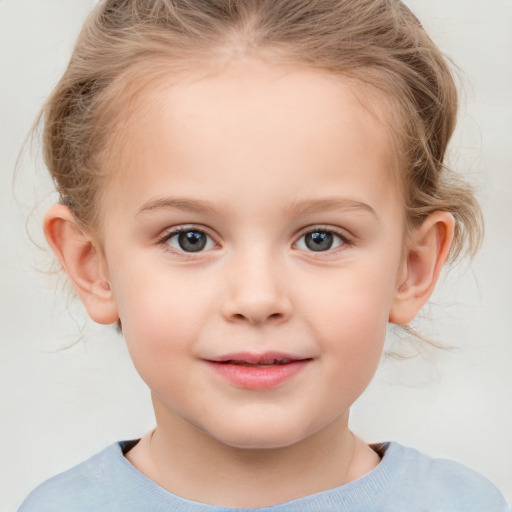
x: 252, y: 190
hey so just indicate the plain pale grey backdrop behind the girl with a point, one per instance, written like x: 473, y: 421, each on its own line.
x: 60, y: 406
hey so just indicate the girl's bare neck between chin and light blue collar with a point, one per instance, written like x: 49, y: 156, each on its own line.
x: 193, y: 465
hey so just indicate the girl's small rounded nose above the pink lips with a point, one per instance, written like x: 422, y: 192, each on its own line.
x: 256, y: 291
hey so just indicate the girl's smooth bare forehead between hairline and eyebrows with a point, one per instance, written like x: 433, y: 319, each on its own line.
x: 248, y: 122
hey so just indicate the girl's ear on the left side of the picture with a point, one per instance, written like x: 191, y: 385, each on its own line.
x: 81, y: 257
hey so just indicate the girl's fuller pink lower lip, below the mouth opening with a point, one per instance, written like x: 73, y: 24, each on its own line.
x: 258, y: 378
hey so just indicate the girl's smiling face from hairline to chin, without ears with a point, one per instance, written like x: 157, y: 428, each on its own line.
x: 253, y: 237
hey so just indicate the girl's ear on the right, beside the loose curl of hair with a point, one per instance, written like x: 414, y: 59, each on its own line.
x: 427, y: 250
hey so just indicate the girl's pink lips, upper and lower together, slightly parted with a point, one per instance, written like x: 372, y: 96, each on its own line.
x: 258, y: 371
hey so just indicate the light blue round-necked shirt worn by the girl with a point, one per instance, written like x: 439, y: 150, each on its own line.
x: 404, y: 481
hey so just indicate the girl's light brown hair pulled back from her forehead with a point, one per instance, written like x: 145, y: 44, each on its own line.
x: 378, y: 42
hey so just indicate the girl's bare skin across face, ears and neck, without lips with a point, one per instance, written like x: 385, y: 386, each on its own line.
x: 255, y: 157
